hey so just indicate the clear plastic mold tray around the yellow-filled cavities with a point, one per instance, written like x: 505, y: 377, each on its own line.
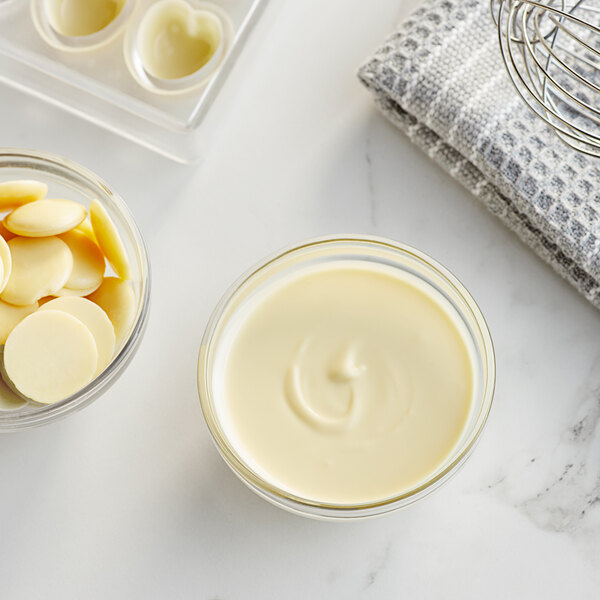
x: 101, y: 82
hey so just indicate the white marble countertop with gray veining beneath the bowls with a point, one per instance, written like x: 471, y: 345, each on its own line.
x: 129, y: 499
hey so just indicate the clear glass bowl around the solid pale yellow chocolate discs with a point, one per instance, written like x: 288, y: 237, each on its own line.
x: 70, y: 180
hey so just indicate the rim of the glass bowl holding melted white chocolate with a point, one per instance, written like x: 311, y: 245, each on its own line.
x: 318, y: 509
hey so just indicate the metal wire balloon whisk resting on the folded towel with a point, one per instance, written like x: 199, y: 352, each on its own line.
x: 551, y: 49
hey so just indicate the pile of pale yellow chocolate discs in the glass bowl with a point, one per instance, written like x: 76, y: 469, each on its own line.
x: 51, y: 256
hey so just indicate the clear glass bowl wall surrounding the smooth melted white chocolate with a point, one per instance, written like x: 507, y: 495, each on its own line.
x: 334, y: 250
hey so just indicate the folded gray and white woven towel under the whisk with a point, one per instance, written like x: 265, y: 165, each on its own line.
x: 440, y: 78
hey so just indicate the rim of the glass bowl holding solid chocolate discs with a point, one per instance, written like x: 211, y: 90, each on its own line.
x: 16, y: 421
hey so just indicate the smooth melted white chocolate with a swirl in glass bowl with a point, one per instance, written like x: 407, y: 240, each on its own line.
x: 345, y: 384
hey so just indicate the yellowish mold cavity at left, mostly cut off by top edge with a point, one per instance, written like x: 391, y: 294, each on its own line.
x: 78, y: 18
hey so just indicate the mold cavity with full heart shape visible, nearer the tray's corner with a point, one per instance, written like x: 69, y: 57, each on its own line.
x: 175, y: 40
